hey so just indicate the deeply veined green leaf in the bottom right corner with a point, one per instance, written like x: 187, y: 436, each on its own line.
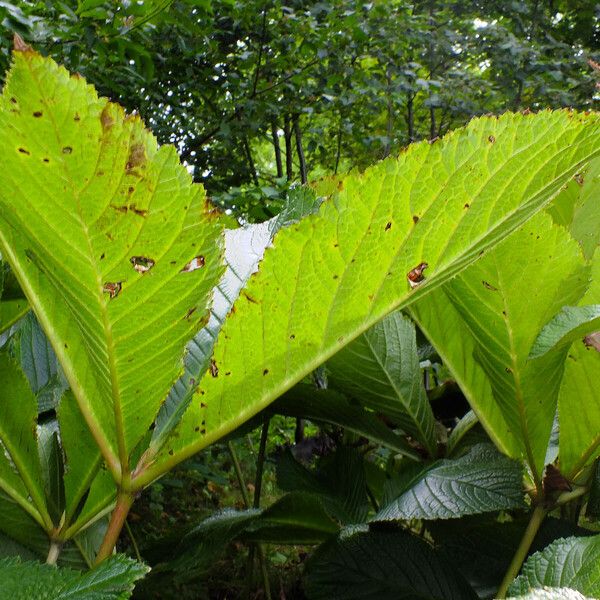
x: 570, y: 562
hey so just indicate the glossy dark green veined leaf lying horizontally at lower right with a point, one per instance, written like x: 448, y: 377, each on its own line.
x: 481, y: 481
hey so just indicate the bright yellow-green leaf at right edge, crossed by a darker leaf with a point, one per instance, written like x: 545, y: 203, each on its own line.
x: 578, y: 406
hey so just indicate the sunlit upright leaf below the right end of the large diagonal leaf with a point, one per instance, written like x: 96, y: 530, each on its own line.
x: 503, y: 301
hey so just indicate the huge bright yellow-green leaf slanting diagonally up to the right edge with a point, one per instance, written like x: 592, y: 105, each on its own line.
x: 333, y: 275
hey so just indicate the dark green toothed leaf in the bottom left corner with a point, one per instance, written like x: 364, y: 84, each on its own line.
x: 113, y: 579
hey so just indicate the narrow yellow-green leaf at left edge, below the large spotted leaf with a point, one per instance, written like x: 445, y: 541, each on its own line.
x: 19, y: 462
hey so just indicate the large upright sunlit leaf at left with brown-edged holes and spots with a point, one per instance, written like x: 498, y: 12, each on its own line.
x: 101, y: 228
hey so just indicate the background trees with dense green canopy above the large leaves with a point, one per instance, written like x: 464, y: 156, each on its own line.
x: 257, y: 94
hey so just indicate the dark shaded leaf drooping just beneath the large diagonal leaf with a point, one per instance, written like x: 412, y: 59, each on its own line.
x: 327, y: 406
